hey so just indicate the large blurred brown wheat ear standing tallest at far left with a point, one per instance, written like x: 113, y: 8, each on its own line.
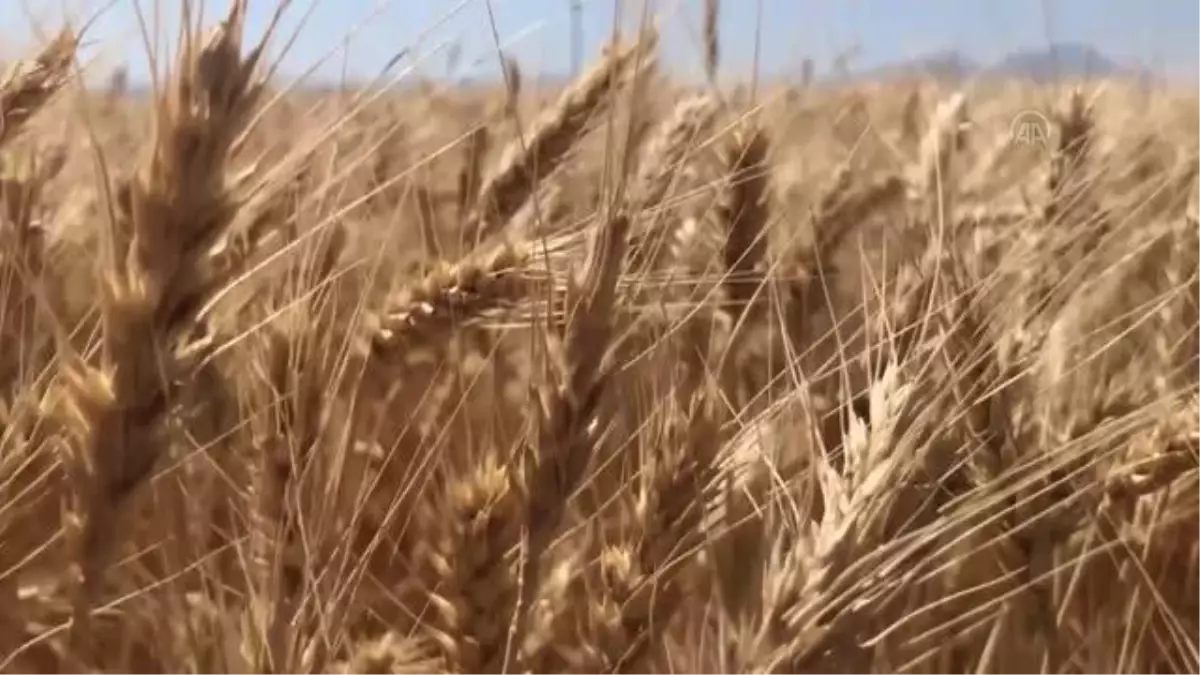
x: 169, y: 216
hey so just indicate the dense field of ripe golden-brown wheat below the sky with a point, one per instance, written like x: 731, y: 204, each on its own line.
x: 633, y: 378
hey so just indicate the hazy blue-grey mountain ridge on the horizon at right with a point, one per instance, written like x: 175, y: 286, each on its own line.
x: 1058, y: 62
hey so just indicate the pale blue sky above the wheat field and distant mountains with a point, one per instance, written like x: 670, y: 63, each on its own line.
x: 359, y: 37
